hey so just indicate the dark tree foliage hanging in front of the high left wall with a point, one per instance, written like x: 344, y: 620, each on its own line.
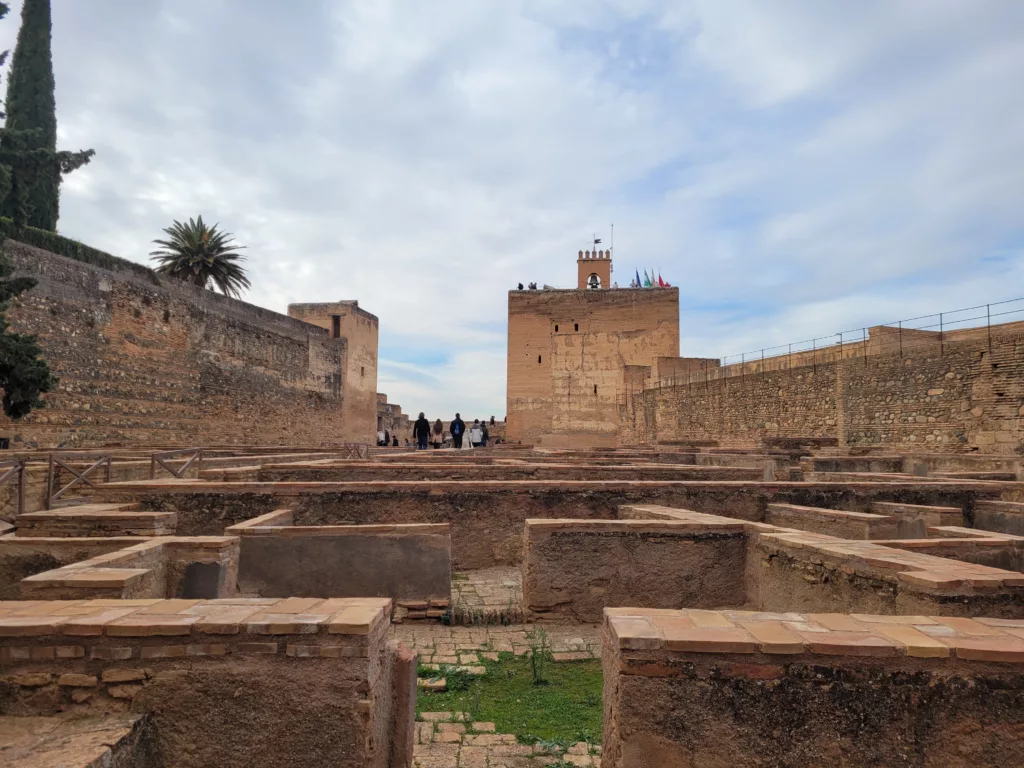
x: 24, y: 377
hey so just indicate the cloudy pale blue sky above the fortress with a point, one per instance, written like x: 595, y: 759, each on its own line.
x: 797, y: 168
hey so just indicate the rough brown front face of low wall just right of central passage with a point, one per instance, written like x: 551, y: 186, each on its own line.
x: 573, y: 570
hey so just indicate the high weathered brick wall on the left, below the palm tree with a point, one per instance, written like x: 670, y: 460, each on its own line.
x: 144, y: 363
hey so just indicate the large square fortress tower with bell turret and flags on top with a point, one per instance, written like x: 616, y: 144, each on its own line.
x: 574, y: 354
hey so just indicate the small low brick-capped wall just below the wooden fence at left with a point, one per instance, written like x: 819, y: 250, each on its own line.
x: 96, y: 521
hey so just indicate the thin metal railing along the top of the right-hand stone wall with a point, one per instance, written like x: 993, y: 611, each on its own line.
x: 925, y: 333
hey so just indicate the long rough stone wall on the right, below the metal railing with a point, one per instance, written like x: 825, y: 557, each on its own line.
x: 959, y: 397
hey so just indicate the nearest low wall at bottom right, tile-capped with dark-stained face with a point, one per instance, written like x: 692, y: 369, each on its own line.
x: 736, y: 689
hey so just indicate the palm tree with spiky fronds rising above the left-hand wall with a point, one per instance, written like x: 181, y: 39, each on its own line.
x: 198, y: 254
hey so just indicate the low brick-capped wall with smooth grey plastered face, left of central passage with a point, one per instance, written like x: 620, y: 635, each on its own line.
x: 407, y: 563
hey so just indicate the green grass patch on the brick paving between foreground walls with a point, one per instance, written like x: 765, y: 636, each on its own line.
x: 566, y: 710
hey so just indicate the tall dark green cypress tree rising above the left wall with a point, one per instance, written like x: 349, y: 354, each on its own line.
x: 31, y: 184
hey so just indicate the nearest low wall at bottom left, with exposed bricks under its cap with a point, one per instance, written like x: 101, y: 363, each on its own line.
x: 228, y: 684
